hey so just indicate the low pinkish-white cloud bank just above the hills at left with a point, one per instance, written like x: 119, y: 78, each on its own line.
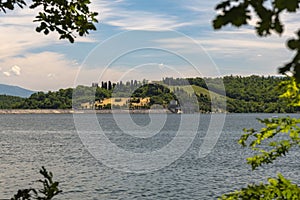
x: 51, y: 71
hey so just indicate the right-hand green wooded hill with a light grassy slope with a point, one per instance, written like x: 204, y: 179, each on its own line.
x: 243, y: 94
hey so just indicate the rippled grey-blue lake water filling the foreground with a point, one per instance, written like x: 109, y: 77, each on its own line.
x: 28, y: 142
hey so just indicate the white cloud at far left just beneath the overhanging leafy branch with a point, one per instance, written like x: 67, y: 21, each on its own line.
x: 18, y: 35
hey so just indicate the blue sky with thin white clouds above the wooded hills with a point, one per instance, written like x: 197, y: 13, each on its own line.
x: 137, y: 39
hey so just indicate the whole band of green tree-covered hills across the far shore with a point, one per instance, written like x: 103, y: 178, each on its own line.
x: 242, y: 94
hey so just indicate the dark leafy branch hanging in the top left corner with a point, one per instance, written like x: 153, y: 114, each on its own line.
x: 67, y: 18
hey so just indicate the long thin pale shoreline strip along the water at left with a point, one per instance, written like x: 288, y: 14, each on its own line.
x: 71, y: 111
